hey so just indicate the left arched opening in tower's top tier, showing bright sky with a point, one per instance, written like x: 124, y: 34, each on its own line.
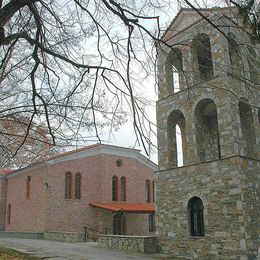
x: 174, y: 69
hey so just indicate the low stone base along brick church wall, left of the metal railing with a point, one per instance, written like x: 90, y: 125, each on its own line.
x: 64, y: 236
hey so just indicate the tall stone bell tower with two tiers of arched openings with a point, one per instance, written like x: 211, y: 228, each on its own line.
x: 208, y: 199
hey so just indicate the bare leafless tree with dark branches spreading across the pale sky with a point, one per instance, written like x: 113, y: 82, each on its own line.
x: 76, y: 67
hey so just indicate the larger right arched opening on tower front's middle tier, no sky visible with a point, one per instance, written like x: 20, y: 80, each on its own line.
x: 207, y: 132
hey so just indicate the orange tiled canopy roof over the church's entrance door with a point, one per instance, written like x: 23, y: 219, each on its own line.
x: 125, y: 207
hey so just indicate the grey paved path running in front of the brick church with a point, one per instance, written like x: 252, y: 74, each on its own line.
x: 73, y: 251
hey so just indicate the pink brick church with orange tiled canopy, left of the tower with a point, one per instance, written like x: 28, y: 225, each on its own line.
x: 98, y: 189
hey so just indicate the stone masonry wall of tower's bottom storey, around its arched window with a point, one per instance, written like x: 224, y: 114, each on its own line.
x: 227, y: 192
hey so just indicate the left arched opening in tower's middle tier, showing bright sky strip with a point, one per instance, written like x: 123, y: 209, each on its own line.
x: 176, y: 138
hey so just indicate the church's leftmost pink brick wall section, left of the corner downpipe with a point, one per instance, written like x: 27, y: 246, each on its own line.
x: 26, y: 214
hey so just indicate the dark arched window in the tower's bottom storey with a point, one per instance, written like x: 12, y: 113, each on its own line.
x: 196, y: 218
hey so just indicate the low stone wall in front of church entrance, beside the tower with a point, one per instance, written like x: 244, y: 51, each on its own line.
x: 143, y: 244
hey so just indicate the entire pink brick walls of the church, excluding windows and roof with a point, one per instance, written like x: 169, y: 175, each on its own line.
x: 72, y: 214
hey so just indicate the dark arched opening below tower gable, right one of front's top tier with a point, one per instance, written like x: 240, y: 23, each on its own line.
x: 202, y: 58
